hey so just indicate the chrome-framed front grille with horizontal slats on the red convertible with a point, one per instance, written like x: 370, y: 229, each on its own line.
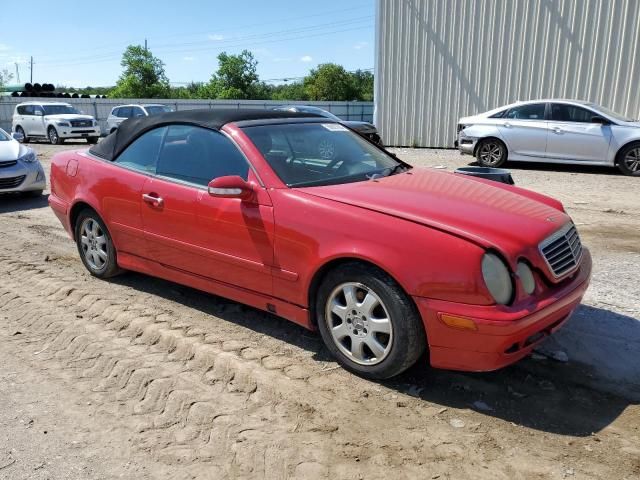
x: 562, y: 251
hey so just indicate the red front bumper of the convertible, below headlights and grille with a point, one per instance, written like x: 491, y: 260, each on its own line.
x: 504, y: 335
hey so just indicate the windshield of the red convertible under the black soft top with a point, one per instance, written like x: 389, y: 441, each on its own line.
x: 313, y: 154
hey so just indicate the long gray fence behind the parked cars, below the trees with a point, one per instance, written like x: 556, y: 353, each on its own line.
x: 100, y: 108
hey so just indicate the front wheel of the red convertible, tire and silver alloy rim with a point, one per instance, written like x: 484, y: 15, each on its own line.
x: 367, y: 322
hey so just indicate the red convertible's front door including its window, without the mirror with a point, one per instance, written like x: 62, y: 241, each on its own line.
x: 224, y: 239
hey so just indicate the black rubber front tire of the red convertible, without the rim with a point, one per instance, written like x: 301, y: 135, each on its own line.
x: 408, y: 340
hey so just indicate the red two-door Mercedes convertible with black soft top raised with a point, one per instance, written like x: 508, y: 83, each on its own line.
x: 300, y: 216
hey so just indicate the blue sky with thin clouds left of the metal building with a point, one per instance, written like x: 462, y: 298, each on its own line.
x: 79, y: 44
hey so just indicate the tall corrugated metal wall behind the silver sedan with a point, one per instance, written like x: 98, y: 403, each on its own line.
x: 438, y: 60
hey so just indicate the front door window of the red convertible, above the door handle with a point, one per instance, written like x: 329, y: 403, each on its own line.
x: 198, y: 155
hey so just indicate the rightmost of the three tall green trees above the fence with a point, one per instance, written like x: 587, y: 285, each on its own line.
x: 329, y: 82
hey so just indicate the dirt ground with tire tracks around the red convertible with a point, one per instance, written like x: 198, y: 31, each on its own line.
x: 139, y: 378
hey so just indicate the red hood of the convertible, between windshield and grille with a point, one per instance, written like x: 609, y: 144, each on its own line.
x: 491, y: 214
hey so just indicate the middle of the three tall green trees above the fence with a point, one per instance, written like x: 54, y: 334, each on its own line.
x: 236, y: 78
